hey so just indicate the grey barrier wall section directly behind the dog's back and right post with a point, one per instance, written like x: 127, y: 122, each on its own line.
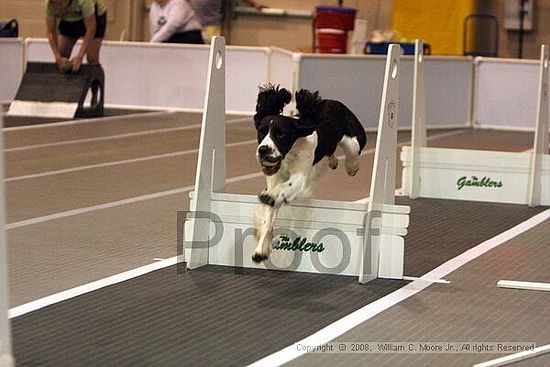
x: 355, y: 80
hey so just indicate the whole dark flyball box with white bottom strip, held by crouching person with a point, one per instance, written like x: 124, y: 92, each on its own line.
x: 46, y: 92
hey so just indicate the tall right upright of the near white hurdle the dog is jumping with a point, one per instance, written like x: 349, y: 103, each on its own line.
x: 382, y: 188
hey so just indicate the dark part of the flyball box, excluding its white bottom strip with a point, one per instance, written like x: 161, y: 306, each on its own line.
x: 43, y: 82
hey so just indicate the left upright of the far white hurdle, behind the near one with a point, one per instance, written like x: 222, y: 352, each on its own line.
x: 418, y: 133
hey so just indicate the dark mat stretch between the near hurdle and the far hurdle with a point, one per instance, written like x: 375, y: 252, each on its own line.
x: 440, y: 230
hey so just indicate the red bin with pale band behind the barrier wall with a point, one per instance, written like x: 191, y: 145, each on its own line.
x: 330, y: 26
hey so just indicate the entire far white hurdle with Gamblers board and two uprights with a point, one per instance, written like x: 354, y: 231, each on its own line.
x: 479, y: 175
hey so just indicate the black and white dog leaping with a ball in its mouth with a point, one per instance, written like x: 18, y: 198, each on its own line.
x: 295, y: 152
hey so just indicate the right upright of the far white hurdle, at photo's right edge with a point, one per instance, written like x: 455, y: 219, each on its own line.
x: 540, y: 146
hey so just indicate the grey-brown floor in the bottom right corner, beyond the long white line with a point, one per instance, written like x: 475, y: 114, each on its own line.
x: 469, y: 309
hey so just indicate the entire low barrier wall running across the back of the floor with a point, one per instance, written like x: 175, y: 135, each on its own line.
x: 460, y: 90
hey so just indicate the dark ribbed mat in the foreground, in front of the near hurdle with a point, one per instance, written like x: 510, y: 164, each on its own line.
x: 208, y: 317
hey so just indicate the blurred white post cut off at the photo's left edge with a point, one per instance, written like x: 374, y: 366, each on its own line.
x: 5, y: 335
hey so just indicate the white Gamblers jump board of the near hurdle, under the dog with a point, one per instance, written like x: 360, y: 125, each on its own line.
x: 319, y: 236
